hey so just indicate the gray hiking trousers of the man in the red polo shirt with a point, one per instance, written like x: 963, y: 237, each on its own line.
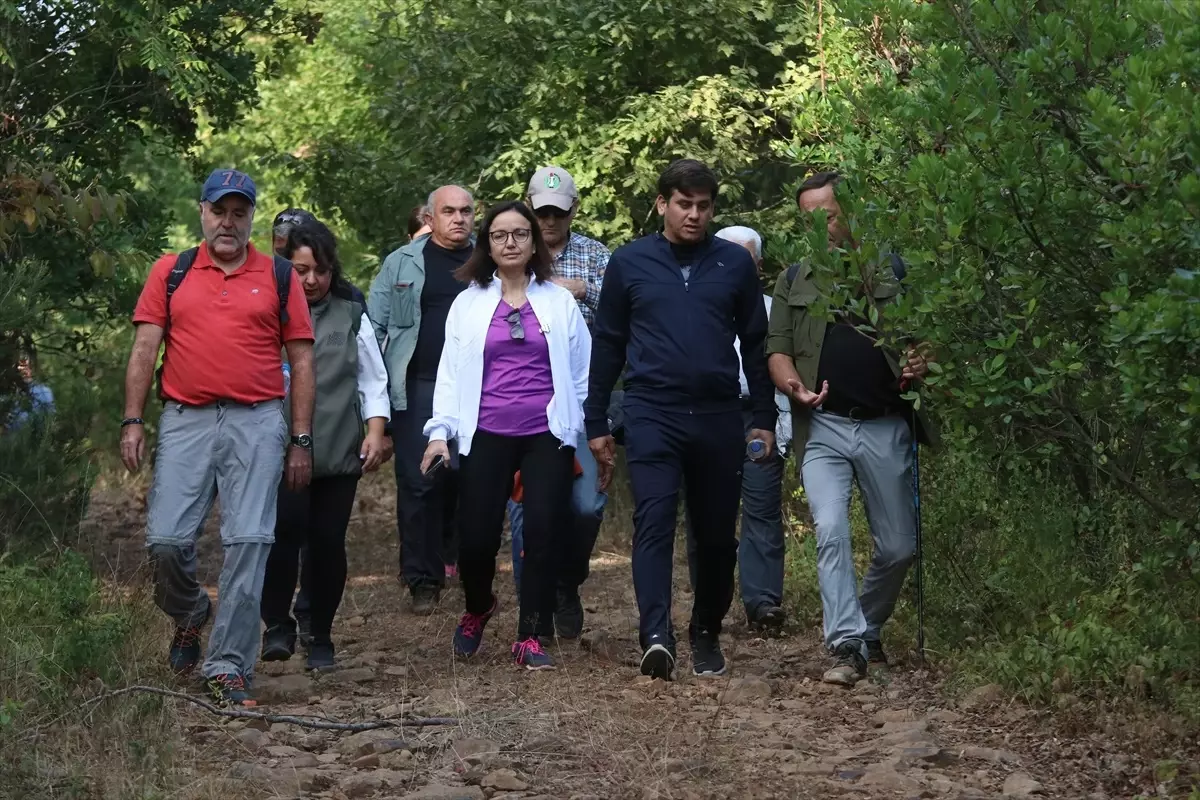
x: 237, y: 453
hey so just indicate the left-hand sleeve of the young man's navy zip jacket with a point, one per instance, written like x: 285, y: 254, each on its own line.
x: 610, y: 335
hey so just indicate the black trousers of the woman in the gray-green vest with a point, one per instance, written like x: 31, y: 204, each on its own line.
x: 317, y: 518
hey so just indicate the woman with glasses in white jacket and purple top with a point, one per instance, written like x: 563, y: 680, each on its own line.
x: 511, y: 390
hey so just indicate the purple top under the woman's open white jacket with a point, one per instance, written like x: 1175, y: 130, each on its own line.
x: 518, y: 384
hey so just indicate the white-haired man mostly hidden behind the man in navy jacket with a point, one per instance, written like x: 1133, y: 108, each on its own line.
x: 761, y: 551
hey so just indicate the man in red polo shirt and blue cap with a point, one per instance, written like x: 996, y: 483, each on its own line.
x: 223, y: 430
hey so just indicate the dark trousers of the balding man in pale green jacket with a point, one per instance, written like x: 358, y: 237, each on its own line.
x: 425, y: 507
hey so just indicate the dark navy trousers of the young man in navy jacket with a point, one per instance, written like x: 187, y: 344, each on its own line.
x: 669, y: 449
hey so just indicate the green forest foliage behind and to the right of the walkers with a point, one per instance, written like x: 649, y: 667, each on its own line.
x: 1036, y: 163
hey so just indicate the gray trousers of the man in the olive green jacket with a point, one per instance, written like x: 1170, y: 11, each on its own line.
x: 877, y: 454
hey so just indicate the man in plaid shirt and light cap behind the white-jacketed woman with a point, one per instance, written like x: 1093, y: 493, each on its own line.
x: 579, y: 267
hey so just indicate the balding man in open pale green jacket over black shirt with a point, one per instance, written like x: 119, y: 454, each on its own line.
x: 409, y: 305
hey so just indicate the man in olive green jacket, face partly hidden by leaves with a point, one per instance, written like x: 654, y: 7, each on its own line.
x: 850, y: 424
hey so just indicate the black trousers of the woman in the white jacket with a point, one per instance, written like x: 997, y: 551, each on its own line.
x: 548, y: 470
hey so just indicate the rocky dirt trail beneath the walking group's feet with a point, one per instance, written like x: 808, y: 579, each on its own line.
x: 596, y: 729
